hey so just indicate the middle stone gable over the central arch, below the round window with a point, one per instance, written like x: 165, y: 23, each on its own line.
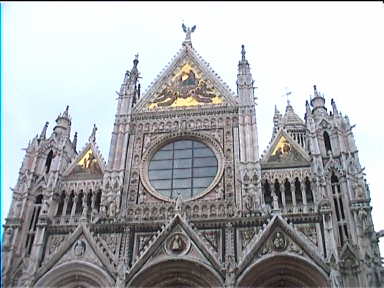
x: 176, y: 239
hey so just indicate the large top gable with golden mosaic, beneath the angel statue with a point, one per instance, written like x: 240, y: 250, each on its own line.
x: 187, y: 82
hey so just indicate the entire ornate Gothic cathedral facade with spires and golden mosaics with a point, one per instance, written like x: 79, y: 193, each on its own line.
x: 185, y: 199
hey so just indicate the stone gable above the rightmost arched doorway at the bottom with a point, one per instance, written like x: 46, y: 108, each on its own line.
x: 278, y: 236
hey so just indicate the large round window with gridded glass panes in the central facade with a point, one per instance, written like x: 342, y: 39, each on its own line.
x: 187, y: 167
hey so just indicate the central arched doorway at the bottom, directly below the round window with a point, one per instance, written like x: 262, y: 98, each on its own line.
x: 177, y: 273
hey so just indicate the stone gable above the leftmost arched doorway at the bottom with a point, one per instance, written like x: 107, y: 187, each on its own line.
x: 81, y: 241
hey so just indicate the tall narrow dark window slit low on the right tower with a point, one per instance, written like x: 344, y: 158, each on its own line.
x: 339, y: 209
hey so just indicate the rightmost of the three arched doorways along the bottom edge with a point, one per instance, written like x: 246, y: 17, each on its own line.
x: 283, y: 271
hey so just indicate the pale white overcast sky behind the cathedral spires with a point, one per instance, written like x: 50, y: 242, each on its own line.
x: 76, y: 53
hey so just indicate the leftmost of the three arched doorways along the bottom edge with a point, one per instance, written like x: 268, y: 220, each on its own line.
x: 75, y: 274
